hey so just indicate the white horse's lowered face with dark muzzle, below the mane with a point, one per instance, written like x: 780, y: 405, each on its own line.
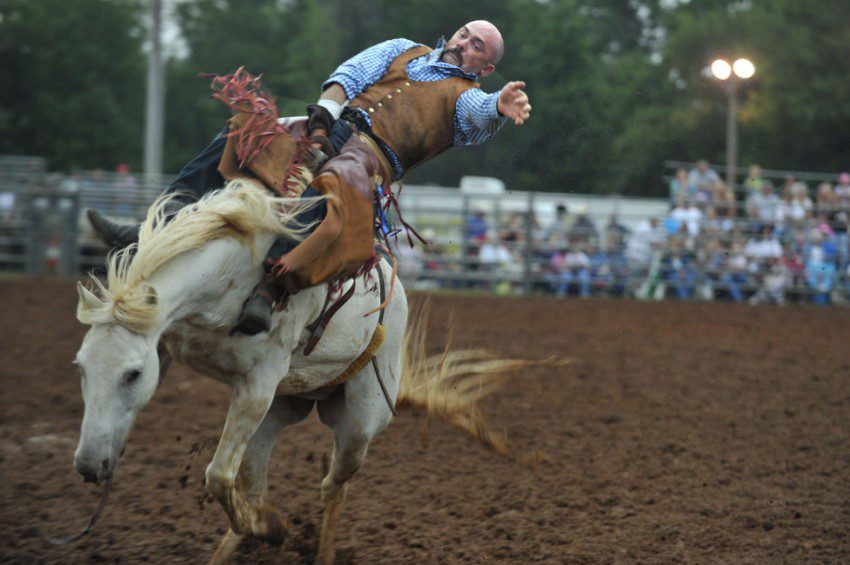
x: 119, y: 370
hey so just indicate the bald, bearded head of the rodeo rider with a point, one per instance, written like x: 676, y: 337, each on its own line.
x: 476, y: 48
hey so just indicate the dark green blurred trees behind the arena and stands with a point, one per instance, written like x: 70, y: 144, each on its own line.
x: 617, y: 87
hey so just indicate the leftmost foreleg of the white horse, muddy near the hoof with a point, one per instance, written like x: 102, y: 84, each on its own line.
x: 251, y: 400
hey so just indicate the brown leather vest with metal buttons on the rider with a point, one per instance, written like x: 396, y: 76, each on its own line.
x: 415, y: 119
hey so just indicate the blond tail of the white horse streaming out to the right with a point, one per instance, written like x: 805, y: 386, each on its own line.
x: 449, y: 385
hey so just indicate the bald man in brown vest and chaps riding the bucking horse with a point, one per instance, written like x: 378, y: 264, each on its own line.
x: 381, y: 113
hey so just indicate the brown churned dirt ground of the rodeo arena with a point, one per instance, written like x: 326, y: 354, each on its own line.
x: 681, y: 432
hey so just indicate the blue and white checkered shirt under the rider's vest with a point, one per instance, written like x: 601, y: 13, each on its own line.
x: 476, y: 116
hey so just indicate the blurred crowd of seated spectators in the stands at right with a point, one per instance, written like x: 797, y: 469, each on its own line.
x: 762, y: 244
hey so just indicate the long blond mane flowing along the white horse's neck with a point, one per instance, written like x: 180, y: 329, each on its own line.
x: 241, y: 210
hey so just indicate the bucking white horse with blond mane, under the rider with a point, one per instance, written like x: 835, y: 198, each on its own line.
x: 185, y: 286
